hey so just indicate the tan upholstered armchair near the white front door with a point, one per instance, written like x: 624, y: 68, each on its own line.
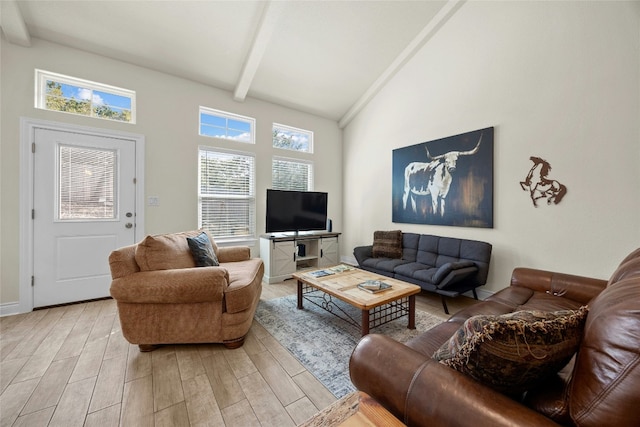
x: 163, y: 298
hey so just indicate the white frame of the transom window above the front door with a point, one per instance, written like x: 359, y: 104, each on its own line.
x: 40, y: 102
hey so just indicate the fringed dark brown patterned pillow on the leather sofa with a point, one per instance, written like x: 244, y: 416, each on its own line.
x: 513, y: 352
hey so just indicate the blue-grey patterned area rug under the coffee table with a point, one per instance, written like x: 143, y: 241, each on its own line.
x: 323, y: 342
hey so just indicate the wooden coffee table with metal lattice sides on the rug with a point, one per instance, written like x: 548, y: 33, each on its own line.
x: 376, y: 308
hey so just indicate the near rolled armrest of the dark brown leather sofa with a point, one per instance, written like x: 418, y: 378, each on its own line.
x: 420, y: 391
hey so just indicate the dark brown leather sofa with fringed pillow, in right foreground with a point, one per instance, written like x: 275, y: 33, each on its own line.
x: 599, y: 387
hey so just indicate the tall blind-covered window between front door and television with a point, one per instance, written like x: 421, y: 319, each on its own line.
x: 226, y: 194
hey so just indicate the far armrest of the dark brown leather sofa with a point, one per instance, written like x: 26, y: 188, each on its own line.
x: 578, y: 288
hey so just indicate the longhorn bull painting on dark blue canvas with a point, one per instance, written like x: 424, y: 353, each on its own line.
x: 447, y: 181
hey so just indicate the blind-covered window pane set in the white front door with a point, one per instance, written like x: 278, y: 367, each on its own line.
x: 86, y: 185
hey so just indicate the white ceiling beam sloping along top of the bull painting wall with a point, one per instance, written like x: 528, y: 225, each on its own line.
x: 412, y: 48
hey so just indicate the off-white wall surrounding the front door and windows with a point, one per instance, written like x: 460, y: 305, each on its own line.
x: 168, y: 118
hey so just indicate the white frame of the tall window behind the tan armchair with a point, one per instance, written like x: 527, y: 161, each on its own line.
x: 250, y: 238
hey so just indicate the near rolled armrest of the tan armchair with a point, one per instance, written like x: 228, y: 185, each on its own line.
x: 185, y: 285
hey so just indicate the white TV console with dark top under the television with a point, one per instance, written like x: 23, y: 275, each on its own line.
x: 281, y: 257
